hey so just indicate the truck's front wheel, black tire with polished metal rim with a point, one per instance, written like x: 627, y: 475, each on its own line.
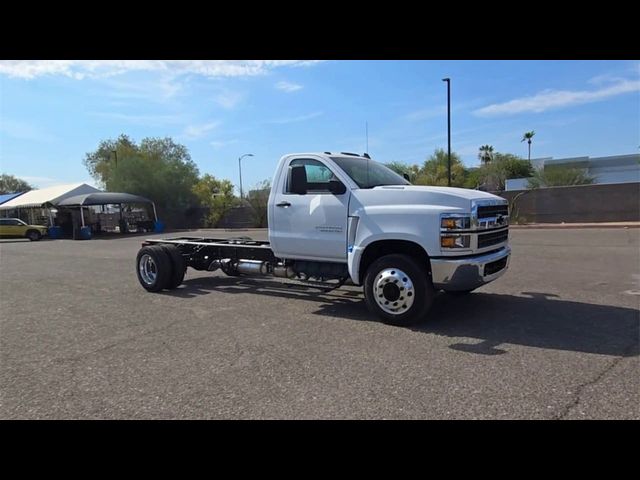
x: 398, y: 290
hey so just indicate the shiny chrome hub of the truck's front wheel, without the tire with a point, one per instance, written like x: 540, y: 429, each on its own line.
x: 393, y: 291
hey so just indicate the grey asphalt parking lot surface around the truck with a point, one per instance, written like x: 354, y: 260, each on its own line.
x: 557, y: 337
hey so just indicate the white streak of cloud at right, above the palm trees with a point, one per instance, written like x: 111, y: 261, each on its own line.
x: 554, y: 99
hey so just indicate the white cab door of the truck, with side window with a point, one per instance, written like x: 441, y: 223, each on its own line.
x: 311, y: 225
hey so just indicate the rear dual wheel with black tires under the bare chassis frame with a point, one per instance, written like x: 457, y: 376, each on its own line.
x: 159, y: 267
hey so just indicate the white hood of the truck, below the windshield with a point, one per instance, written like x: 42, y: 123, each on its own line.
x: 436, y: 197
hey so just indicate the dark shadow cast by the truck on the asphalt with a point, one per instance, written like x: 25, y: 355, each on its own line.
x: 531, y: 319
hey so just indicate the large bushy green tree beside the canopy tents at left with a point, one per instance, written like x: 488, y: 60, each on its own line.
x: 156, y: 168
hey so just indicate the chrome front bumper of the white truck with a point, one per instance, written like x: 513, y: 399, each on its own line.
x: 456, y: 274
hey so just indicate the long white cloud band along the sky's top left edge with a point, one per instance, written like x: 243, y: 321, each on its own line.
x: 80, y: 69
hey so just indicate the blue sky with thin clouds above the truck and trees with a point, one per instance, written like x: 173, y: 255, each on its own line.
x: 53, y: 112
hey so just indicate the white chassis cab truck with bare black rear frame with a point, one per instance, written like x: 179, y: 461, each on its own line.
x: 346, y: 218
